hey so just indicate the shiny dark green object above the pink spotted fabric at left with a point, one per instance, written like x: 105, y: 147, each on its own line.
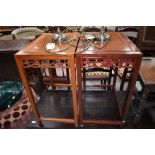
x: 10, y: 92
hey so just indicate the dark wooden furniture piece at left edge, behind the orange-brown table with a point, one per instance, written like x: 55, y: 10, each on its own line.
x: 8, y: 67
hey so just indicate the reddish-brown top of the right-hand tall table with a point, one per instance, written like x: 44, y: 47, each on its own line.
x: 118, y: 44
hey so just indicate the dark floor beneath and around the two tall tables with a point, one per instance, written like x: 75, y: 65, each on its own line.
x: 61, y: 102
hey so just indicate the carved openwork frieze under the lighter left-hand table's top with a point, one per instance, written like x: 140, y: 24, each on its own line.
x: 45, y: 63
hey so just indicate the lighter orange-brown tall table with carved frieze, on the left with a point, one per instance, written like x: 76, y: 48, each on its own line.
x: 35, y: 56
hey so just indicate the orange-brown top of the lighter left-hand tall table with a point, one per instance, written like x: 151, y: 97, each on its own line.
x: 38, y: 46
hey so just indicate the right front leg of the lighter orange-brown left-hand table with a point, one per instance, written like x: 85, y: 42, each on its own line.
x: 74, y: 95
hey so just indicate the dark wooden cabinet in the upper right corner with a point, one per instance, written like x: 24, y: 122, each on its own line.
x: 146, y: 38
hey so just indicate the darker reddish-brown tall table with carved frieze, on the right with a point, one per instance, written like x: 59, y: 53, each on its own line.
x: 119, y: 52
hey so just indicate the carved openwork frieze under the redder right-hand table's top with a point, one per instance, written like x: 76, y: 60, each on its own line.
x: 107, y: 63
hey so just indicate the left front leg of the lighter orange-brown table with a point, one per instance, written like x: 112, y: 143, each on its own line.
x: 28, y: 90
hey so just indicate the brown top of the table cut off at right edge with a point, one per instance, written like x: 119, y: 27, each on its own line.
x: 147, y: 70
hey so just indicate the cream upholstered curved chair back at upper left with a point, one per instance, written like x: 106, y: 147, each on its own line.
x: 29, y: 33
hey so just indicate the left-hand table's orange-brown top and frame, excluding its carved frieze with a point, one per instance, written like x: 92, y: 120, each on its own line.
x: 36, y: 51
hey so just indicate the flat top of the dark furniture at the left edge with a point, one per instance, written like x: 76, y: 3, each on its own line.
x: 12, y: 45
